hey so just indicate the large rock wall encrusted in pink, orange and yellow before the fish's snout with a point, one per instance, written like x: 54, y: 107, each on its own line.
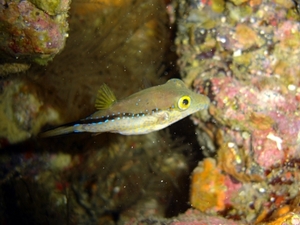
x: 245, y: 56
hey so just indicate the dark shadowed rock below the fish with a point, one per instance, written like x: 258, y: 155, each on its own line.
x: 93, y: 179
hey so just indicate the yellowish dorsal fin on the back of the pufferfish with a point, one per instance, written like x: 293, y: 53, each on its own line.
x: 105, y: 98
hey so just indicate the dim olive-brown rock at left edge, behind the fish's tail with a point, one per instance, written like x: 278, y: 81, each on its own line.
x: 22, y: 111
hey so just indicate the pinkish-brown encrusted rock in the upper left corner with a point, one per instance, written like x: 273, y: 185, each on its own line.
x: 31, y: 31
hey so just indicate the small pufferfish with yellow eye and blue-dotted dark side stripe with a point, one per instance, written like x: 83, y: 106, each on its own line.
x: 146, y: 111
